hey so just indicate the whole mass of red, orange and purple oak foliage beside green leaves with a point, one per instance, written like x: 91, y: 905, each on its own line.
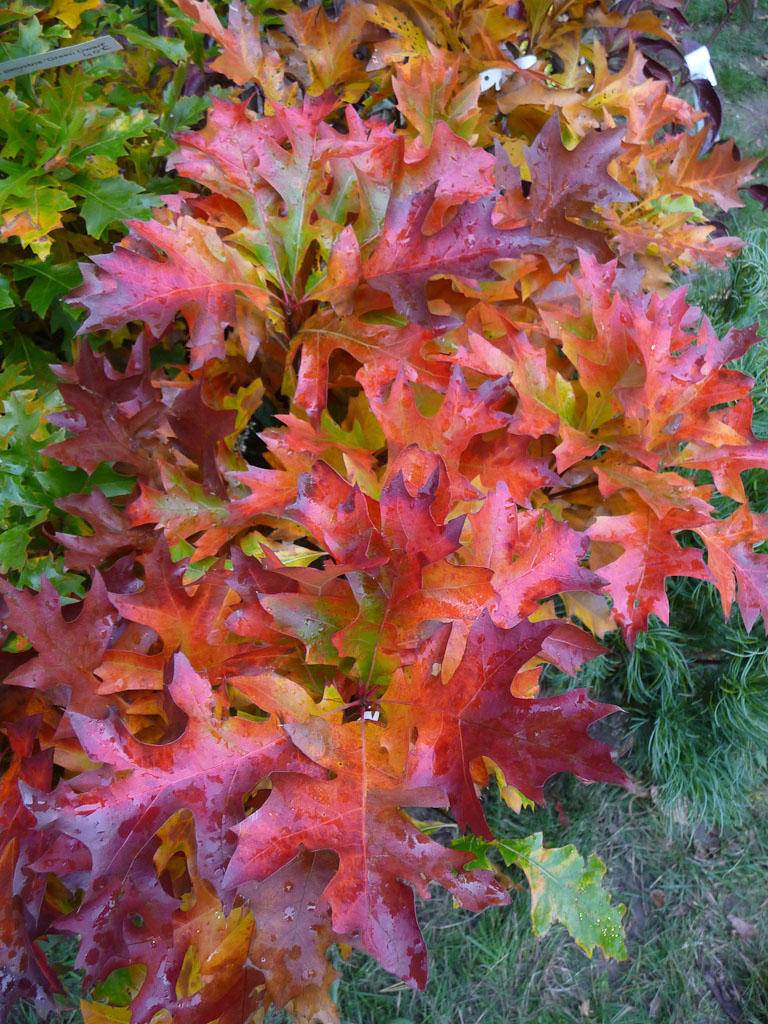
x: 486, y: 418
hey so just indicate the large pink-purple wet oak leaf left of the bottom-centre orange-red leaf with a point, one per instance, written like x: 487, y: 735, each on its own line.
x: 208, y: 771
